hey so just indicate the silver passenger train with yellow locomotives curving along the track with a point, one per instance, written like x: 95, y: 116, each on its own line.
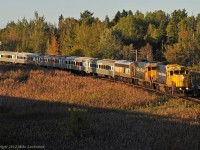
x: 170, y: 78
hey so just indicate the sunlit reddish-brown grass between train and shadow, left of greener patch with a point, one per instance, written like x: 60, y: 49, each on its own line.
x: 62, y: 86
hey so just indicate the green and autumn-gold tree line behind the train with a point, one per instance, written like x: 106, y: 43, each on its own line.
x: 156, y: 36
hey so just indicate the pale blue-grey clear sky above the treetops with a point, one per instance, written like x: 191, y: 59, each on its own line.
x: 14, y: 10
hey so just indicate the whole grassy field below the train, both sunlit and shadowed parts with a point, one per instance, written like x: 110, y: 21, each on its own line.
x: 56, y: 109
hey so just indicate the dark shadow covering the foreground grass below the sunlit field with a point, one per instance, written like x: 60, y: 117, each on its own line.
x: 58, y: 125
